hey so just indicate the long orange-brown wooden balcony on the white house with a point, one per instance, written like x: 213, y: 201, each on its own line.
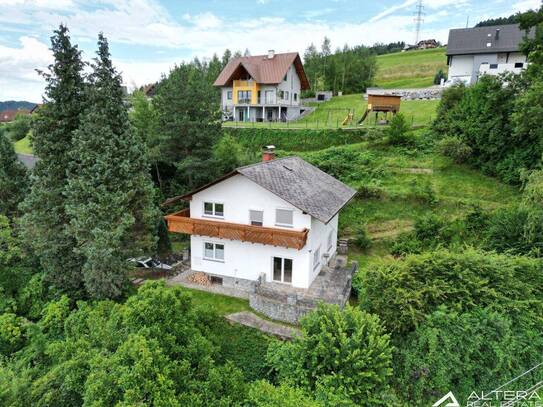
x: 181, y: 222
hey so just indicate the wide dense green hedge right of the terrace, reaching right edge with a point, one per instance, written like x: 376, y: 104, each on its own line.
x: 404, y: 292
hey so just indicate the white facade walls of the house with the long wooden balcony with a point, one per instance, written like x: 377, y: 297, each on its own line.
x: 248, y: 260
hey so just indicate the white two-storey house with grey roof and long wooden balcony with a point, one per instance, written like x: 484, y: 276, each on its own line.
x: 274, y: 221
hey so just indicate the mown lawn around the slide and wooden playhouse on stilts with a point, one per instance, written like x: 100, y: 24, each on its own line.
x: 332, y: 113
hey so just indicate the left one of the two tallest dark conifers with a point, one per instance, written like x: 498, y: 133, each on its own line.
x: 45, y: 221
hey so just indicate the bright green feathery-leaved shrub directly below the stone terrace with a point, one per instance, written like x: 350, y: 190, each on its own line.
x: 341, y: 353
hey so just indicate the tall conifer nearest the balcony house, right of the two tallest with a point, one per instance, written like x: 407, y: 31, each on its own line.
x: 109, y: 192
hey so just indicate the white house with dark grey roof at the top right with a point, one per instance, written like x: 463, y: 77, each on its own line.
x: 491, y: 50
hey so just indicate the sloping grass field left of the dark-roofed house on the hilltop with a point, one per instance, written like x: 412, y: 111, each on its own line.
x: 412, y: 69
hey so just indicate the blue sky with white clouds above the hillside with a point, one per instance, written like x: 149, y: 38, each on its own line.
x: 148, y: 37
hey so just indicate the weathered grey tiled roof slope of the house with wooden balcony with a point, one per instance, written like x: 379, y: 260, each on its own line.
x: 302, y: 185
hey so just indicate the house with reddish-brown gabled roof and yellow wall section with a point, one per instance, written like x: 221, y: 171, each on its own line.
x: 263, y: 87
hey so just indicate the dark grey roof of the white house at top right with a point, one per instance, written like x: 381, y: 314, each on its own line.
x: 476, y: 40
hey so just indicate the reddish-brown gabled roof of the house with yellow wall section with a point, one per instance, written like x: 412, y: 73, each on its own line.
x: 264, y: 70
